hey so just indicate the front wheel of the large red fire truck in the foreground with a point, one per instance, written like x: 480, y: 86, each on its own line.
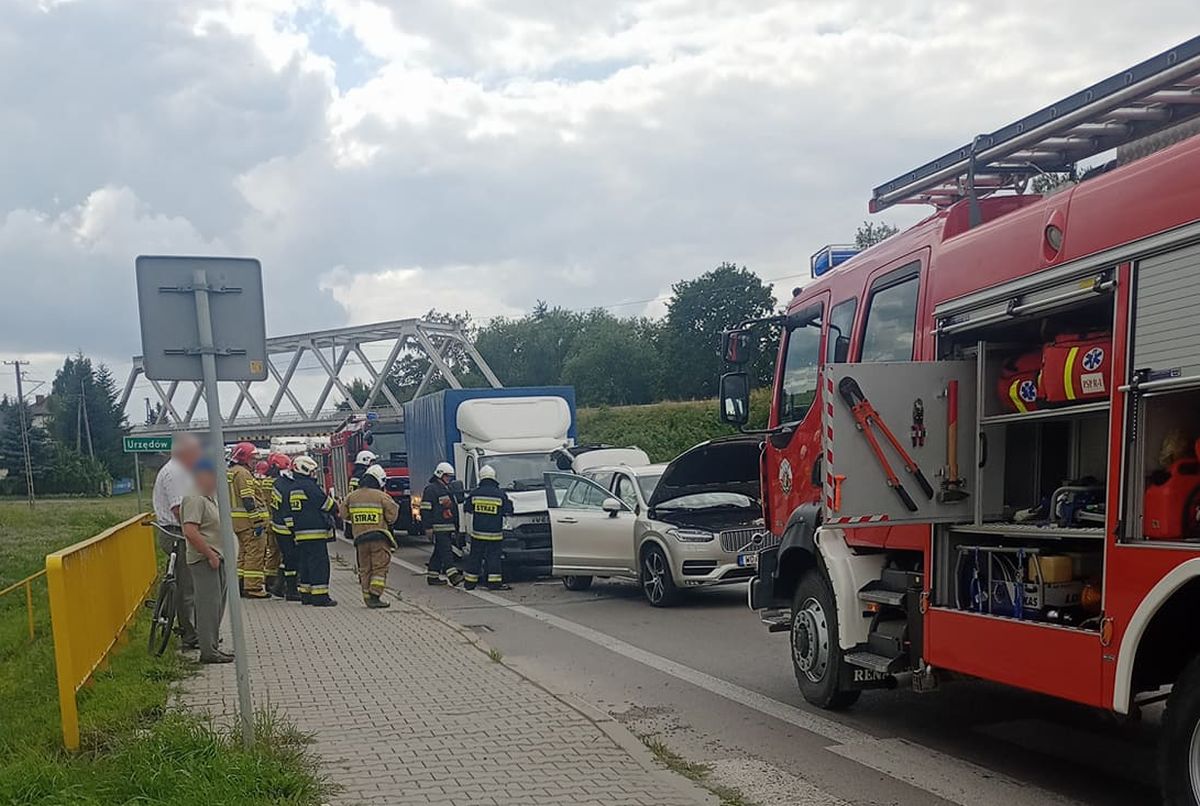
x: 817, y: 655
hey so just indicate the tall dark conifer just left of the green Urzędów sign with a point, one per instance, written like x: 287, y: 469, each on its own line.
x: 86, y: 416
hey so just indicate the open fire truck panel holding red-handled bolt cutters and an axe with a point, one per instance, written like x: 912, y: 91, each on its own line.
x: 899, y: 442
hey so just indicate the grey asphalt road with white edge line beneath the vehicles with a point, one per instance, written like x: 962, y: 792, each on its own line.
x: 709, y: 682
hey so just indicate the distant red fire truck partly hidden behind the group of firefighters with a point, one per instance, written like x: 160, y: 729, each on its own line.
x: 385, y: 438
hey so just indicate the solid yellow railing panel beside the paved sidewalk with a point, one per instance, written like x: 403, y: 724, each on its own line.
x: 95, y: 588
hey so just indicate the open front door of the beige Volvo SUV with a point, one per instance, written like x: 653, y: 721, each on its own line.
x: 587, y: 538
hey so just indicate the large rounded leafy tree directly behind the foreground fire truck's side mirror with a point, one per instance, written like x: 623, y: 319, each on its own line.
x: 698, y: 312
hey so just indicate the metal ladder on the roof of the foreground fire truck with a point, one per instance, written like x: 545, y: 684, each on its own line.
x: 1157, y: 94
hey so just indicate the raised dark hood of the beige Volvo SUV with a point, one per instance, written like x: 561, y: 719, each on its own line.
x: 721, y: 466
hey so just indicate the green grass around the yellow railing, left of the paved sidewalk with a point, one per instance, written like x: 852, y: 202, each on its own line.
x: 136, y: 749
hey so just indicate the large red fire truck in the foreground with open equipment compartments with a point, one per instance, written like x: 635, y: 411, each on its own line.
x: 982, y: 455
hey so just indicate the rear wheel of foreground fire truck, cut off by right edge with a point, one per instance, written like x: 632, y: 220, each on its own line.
x: 1179, y: 751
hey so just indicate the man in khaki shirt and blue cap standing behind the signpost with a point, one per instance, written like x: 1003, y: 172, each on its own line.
x: 202, y: 526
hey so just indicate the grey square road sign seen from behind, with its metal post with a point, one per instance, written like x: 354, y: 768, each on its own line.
x: 202, y: 320
